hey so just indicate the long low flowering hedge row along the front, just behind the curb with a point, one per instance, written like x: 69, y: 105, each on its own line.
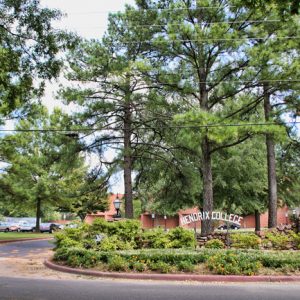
x: 218, y: 261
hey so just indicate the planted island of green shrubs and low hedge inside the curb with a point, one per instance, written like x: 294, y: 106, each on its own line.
x: 124, y: 246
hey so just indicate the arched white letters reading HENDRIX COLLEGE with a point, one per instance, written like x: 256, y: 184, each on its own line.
x: 215, y: 215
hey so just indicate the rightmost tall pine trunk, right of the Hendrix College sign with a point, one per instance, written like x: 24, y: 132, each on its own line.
x: 272, y: 182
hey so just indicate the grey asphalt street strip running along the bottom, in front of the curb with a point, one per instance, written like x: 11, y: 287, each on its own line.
x: 39, y: 289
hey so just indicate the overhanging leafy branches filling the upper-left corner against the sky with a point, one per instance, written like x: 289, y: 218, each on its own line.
x: 29, y: 47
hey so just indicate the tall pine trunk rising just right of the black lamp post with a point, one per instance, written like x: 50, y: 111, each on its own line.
x: 127, y: 162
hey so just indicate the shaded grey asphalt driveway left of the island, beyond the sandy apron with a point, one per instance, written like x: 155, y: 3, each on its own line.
x: 22, y: 249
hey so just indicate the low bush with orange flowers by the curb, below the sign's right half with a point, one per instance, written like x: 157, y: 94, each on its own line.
x: 230, y: 263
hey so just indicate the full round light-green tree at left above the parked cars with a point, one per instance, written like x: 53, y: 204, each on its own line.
x: 43, y: 171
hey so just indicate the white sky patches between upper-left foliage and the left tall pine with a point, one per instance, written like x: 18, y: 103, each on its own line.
x: 89, y: 19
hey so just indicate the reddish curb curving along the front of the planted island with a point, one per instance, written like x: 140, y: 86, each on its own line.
x: 172, y: 277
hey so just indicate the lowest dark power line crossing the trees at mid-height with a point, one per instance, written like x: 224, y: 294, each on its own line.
x: 148, y: 128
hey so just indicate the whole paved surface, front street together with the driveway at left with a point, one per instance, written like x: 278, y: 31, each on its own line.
x: 23, y: 277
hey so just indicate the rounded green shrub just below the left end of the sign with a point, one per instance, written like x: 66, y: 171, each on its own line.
x: 181, y: 238
